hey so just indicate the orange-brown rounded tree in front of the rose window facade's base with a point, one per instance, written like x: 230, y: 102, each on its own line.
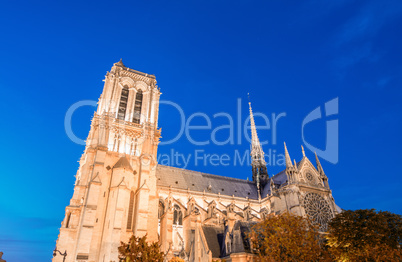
x: 287, y: 238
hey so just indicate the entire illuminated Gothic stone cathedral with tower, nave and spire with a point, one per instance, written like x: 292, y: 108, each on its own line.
x: 120, y: 189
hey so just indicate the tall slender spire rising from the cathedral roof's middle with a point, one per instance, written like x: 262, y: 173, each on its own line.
x: 259, y: 168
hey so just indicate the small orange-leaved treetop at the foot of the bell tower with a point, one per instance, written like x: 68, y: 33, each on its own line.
x: 138, y: 250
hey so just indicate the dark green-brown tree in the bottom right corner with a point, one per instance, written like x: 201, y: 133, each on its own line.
x: 365, y: 235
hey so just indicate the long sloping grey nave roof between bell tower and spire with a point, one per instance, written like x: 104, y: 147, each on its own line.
x: 197, y: 181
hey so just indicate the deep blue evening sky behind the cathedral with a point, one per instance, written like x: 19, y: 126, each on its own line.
x: 292, y: 56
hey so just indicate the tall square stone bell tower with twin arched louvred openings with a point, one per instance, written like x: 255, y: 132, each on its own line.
x: 115, y: 192
